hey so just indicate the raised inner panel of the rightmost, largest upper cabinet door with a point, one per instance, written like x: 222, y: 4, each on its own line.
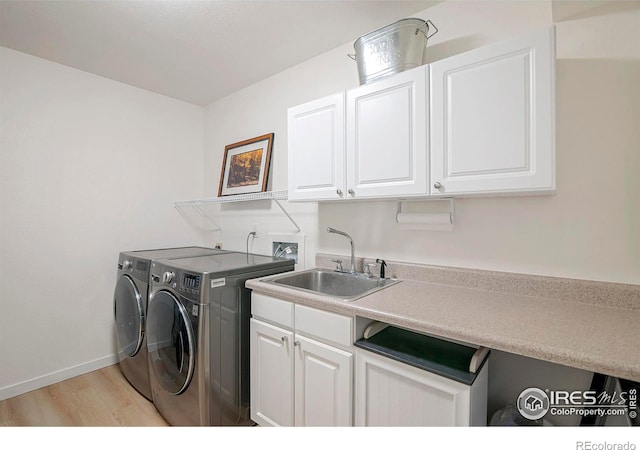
x: 506, y: 104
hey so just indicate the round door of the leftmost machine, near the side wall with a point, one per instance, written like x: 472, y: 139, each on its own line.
x: 129, y: 313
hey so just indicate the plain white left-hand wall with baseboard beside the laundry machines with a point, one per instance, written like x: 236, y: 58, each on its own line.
x: 87, y: 169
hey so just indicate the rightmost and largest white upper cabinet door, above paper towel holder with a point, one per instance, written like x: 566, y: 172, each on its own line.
x: 492, y: 118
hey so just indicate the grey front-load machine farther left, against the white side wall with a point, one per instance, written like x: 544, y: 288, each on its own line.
x: 130, y: 309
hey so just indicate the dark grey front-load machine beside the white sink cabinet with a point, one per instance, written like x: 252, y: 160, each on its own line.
x: 198, y: 336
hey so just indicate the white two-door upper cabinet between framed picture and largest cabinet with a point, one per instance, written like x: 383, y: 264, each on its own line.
x: 384, y: 131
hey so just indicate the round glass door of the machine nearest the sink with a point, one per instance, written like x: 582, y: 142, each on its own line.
x: 171, y: 342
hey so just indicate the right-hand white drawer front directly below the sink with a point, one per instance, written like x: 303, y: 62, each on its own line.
x: 324, y: 325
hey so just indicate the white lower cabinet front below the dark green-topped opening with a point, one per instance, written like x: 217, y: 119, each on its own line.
x: 390, y: 393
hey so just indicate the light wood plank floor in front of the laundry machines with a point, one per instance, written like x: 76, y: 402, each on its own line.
x: 100, y: 398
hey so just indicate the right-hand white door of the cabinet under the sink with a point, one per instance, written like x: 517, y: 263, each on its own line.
x: 323, y: 384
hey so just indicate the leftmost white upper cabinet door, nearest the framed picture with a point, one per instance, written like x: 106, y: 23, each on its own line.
x: 316, y: 149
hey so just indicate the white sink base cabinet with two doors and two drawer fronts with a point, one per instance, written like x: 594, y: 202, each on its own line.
x: 300, y: 377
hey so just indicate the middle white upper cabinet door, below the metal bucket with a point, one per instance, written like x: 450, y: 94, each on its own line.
x: 387, y: 136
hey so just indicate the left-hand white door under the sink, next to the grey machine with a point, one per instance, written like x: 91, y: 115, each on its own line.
x: 271, y: 374
